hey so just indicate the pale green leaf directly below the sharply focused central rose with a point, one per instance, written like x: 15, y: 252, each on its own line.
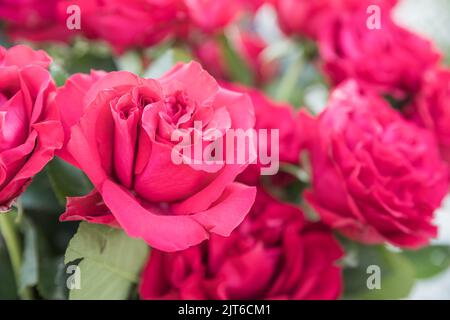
x: 110, y: 262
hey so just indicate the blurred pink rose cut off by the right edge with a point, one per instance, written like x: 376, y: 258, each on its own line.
x: 431, y: 108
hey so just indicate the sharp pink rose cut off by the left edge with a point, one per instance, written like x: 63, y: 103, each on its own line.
x: 30, y: 130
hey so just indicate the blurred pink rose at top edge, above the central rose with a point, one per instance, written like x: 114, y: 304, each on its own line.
x: 130, y: 24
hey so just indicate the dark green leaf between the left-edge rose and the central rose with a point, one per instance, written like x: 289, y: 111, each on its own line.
x: 66, y: 180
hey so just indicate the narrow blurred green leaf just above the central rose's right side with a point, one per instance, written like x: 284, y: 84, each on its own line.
x: 238, y: 68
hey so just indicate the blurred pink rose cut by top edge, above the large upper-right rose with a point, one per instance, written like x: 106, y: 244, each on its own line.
x: 308, y: 18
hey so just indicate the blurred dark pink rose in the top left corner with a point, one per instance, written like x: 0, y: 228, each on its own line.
x: 34, y: 20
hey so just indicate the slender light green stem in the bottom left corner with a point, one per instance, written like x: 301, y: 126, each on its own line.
x: 12, y: 240
